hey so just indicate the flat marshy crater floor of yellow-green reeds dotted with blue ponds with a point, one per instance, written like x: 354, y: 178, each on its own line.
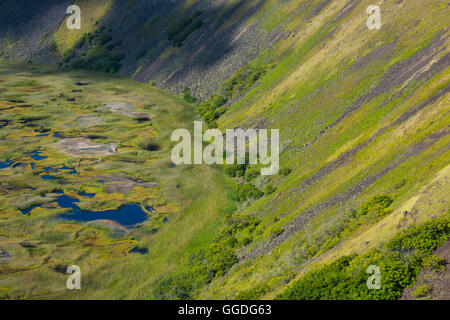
x: 81, y: 183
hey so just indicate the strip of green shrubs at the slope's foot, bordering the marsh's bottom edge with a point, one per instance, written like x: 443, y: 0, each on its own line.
x: 208, y: 264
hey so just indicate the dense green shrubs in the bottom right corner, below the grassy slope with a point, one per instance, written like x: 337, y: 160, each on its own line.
x: 400, y: 261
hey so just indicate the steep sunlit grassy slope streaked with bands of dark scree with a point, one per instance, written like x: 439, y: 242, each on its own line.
x: 362, y: 113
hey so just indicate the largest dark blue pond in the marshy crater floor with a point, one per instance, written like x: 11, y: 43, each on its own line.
x: 128, y: 215
